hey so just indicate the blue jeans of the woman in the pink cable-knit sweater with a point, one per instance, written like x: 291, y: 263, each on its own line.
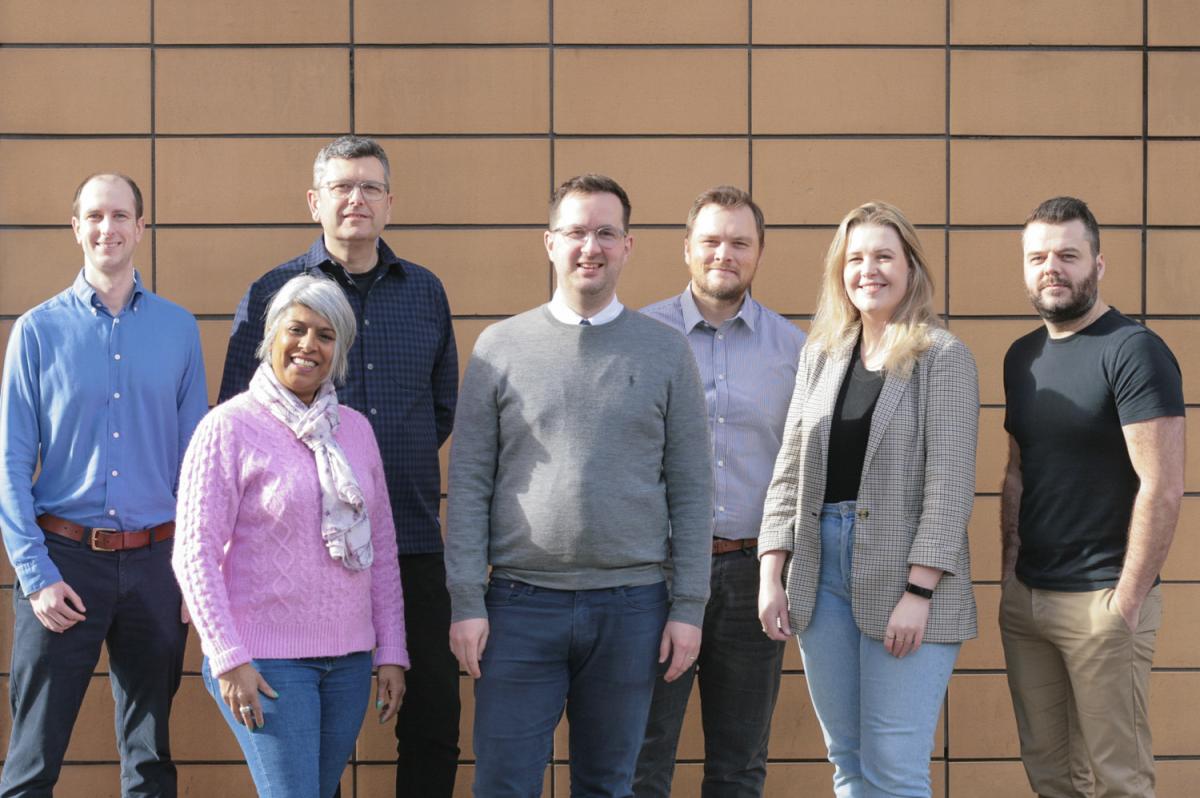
x: 310, y: 730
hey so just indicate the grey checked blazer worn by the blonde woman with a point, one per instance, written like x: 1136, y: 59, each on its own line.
x: 914, y: 502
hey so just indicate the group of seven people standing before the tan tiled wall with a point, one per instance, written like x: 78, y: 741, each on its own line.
x: 638, y: 502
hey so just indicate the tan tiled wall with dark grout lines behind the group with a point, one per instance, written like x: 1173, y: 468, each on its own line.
x: 965, y: 113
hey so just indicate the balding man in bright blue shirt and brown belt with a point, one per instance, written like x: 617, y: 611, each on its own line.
x: 104, y: 386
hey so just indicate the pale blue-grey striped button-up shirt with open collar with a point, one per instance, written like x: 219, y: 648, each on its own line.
x: 748, y: 368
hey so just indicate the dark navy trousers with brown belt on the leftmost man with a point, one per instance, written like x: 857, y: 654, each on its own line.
x: 133, y: 607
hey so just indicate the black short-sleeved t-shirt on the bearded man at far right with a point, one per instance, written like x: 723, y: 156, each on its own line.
x: 1067, y: 400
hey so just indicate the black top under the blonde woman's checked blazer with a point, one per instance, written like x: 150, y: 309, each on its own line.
x: 850, y: 429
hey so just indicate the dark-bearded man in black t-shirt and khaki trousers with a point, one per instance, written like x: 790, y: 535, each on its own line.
x: 1091, y: 497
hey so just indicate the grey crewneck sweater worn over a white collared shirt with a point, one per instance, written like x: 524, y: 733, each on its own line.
x: 579, y: 454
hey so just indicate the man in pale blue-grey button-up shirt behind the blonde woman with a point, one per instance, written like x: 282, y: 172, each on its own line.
x: 747, y: 357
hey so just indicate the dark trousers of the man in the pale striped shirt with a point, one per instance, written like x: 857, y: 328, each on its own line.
x: 739, y: 671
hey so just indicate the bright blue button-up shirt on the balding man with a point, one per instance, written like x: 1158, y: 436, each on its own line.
x: 109, y: 405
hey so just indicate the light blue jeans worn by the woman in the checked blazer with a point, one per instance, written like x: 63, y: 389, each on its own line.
x: 878, y: 712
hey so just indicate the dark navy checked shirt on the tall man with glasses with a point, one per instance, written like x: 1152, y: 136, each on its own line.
x: 404, y: 375
